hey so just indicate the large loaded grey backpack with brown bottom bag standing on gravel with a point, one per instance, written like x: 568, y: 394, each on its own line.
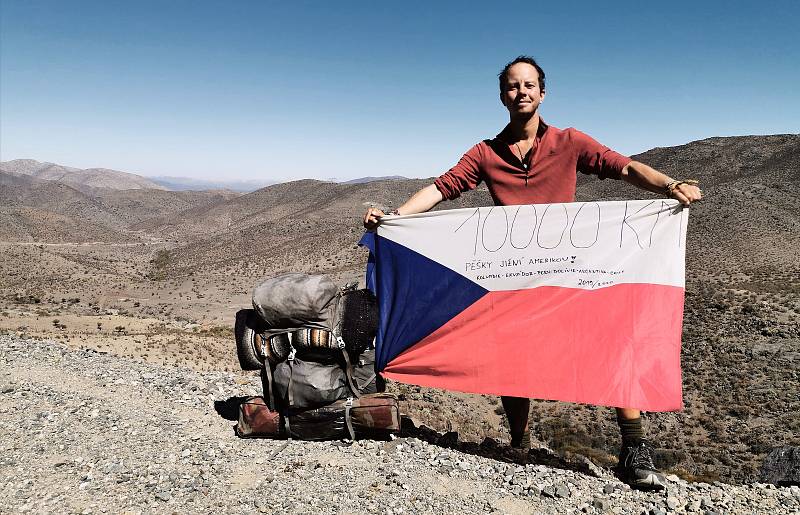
x: 313, y: 343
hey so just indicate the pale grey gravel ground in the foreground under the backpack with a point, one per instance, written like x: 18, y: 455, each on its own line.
x: 85, y: 432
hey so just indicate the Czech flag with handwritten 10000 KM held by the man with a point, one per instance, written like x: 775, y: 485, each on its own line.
x: 578, y: 302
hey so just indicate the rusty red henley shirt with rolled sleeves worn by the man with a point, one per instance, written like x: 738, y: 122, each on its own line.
x: 547, y: 176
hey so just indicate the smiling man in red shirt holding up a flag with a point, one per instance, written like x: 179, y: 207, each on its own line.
x: 530, y: 162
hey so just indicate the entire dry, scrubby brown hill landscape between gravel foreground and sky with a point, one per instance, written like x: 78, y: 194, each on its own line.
x: 174, y: 267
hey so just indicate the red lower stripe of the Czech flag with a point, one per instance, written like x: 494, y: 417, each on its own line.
x: 615, y: 346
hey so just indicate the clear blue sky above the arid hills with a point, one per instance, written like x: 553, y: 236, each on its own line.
x: 267, y: 90
